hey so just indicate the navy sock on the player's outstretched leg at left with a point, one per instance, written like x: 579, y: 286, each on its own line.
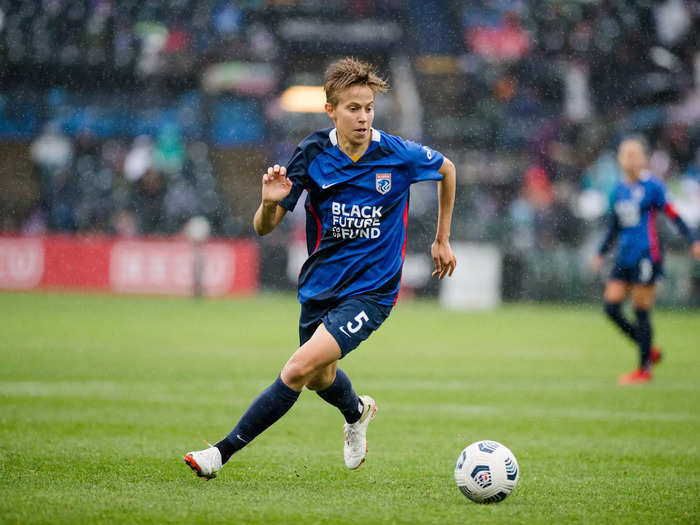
x: 268, y: 407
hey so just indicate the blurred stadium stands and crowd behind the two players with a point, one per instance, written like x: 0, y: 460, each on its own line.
x: 125, y: 119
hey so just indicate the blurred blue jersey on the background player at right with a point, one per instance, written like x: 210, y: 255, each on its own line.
x: 635, y: 207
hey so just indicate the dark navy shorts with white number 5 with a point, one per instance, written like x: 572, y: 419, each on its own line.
x: 350, y: 320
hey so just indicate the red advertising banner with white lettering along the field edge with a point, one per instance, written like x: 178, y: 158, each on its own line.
x: 131, y: 266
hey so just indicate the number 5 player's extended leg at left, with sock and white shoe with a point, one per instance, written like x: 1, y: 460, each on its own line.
x: 320, y: 351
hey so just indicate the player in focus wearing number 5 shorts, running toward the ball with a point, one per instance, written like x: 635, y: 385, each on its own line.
x: 357, y: 180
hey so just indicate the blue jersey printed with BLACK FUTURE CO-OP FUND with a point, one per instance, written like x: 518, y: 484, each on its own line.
x: 356, y: 213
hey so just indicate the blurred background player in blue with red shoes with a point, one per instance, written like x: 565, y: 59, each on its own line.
x: 638, y: 262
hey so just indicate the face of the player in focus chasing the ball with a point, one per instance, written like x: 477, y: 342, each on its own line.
x: 353, y: 114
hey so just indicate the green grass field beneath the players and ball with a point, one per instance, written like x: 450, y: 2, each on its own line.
x: 100, y: 397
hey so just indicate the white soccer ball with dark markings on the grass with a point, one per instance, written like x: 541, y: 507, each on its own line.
x: 486, y: 472
